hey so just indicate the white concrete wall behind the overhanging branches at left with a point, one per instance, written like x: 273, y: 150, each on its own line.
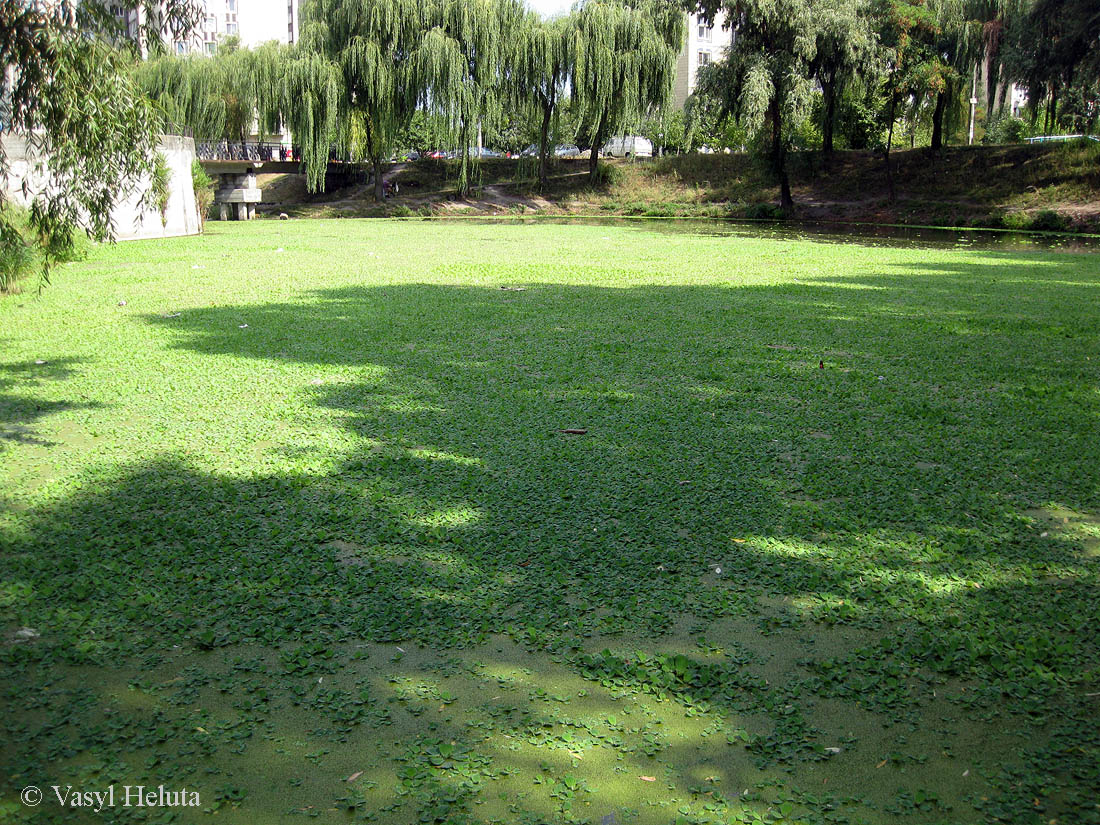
x: 182, y: 217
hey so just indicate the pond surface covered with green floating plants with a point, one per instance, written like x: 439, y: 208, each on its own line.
x: 299, y: 527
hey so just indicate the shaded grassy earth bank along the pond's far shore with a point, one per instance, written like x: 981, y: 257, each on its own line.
x: 1046, y: 188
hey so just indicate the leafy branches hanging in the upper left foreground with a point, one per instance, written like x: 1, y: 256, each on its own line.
x: 72, y: 97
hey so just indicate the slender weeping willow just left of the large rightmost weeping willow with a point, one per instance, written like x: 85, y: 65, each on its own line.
x: 540, y: 69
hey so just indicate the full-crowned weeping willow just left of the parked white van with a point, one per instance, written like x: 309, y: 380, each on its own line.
x: 625, y: 61
